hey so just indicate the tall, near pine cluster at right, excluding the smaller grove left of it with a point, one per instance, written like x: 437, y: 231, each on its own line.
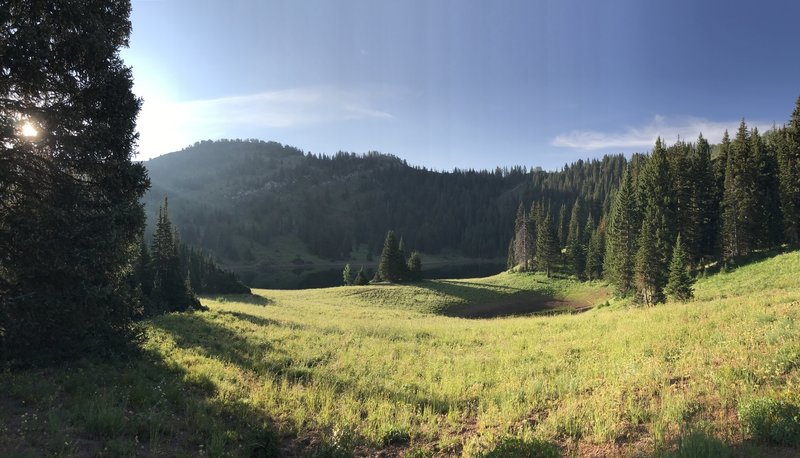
x: 679, y: 208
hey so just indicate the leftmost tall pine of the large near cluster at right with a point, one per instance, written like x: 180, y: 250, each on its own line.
x: 623, y: 230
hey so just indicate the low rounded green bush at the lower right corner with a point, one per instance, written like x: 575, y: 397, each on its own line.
x: 772, y: 421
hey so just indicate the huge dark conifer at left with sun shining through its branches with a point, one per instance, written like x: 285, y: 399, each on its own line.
x: 70, y: 211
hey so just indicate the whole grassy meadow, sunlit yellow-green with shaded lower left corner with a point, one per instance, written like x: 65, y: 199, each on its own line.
x: 396, y: 370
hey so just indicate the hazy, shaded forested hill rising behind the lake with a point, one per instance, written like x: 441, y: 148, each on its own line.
x: 282, y: 218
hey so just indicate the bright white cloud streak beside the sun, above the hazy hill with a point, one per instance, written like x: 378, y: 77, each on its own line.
x: 166, y: 126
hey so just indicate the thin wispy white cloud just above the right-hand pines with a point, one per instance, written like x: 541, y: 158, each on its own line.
x: 643, y: 137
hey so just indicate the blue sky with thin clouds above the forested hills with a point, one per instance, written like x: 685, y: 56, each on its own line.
x: 468, y: 84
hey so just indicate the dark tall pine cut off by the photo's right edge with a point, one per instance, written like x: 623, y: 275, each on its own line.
x: 789, y: 176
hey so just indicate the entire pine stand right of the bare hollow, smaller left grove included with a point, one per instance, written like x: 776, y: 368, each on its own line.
x: 675, y: 211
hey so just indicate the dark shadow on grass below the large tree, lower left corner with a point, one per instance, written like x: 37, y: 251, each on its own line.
x: 143, y: 405
